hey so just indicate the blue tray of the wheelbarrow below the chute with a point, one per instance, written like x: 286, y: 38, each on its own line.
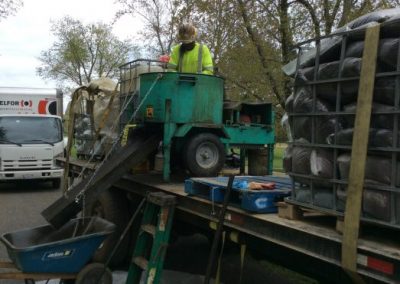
x: 45, y: 249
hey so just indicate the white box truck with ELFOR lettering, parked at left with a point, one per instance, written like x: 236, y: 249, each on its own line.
x: 31, y: 134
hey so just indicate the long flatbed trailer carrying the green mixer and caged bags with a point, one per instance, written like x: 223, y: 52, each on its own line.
x: 311, y: 245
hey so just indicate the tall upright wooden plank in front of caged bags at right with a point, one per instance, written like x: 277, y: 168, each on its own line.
x: 359, y: 152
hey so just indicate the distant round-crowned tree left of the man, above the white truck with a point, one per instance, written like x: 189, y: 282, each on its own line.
x: 82, y: 53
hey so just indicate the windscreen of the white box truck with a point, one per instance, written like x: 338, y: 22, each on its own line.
x: 30, y: 130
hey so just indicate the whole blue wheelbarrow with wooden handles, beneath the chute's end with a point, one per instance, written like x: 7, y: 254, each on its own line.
x: 44, y: 253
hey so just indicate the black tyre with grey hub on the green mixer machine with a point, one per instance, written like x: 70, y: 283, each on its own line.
x: 204, y: 155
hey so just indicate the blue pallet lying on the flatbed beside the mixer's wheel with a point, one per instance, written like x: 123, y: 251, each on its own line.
x: 260, y: 201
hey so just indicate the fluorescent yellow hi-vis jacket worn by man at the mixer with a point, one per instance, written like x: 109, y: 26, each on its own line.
x: 197, y: 60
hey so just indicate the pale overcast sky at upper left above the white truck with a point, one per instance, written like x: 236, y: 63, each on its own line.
x: 24, y: 35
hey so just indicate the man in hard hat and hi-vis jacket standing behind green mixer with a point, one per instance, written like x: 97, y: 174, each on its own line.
x: 190, y: 56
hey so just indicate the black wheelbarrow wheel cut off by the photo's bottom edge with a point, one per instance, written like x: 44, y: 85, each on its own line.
x: 94, y: 273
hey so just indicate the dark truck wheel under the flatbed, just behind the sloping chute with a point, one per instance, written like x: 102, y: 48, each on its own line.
x: 112, y: 206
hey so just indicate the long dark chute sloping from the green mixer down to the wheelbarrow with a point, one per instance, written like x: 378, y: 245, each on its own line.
x: 66, y: 207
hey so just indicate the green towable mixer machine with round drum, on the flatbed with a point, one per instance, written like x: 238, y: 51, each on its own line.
x: 198, y: 126
